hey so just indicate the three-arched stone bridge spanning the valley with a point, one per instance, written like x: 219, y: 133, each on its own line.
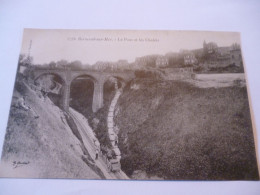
x: 98, y: 78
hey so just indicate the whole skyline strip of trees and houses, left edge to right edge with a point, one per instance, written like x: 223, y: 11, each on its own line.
x: 211, y: 58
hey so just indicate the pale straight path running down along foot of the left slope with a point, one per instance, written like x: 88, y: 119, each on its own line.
x: 88, y: 136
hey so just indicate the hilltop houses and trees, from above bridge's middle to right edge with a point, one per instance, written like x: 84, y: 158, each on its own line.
x: 209, y: 58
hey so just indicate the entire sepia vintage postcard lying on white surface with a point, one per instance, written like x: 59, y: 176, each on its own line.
x: 140, y: 105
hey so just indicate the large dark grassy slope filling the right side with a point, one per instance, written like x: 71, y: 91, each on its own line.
x: 177, y: 131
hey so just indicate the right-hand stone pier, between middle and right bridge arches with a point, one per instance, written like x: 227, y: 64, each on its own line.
x: 98, y: 96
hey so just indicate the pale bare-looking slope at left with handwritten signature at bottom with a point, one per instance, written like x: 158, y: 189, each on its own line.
x: 47, y: 143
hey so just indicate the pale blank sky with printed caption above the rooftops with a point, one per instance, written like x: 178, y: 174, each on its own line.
x: 90, y: 46
